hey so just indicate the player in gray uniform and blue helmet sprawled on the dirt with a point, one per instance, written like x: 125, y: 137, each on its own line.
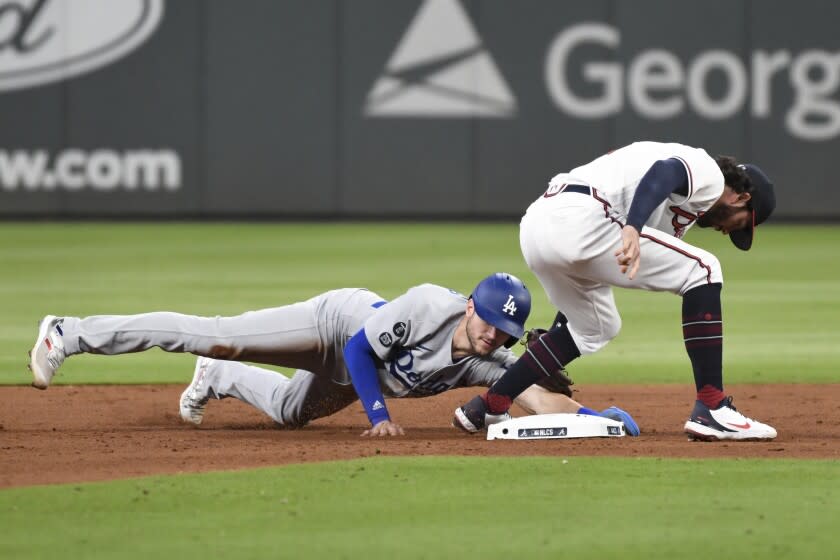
x: 346, y: 344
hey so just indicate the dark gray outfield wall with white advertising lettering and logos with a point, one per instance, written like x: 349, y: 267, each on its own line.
x: 395, y: 108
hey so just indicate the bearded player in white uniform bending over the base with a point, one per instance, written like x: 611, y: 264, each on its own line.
x: 619, y: 221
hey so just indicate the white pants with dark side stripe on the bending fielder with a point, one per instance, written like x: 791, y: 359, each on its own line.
x: 569, y: 241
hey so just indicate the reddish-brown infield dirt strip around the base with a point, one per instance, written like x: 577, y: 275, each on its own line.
x: 86, y: 433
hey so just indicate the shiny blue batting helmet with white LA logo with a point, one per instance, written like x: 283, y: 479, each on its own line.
x: 503, y: 301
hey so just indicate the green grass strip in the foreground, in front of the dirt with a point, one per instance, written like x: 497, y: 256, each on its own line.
x: 441, y: 508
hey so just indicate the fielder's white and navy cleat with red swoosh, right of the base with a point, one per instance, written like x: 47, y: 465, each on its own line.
x: 725, y: 423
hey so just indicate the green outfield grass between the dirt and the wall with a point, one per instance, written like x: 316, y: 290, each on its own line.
x: 781, y: 299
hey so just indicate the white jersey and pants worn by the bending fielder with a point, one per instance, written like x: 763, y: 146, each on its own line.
x: 570, y: 234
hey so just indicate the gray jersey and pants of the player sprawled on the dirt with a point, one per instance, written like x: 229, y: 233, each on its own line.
x: 412, y: 336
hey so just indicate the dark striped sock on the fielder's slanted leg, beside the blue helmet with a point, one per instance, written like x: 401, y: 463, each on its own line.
x: 552, y: 350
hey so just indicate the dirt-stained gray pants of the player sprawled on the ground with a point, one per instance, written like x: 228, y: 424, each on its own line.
x: 287, y: 336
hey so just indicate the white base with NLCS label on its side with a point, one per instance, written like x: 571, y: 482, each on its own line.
x: 556, y: 426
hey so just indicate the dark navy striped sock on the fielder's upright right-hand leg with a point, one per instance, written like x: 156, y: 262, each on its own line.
x: 703, y: 334
